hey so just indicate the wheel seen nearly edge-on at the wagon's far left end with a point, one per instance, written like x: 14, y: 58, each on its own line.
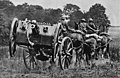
x: 12, y: 43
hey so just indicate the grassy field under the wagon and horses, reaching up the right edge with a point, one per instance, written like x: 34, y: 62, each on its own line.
x: 14, y: 67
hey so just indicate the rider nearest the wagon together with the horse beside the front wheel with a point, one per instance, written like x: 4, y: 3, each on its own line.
x: 76, y: 35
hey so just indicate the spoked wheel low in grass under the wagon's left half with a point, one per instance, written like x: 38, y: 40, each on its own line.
x: 30, y: 61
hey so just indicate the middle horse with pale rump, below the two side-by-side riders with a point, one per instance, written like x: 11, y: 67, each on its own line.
x: 90, y: 51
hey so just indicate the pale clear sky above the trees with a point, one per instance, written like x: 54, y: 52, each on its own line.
x: 112, y: 6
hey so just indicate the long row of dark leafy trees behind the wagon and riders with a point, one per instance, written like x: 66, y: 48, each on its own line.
x: 36, y: 12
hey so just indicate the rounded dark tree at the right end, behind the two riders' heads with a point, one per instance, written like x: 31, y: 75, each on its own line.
x: 97, y: 12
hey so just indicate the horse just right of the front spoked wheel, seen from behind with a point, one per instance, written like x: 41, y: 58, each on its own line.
x: 78, y: 40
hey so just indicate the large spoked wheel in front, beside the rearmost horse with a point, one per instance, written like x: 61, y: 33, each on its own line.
x: 65, y: 54
